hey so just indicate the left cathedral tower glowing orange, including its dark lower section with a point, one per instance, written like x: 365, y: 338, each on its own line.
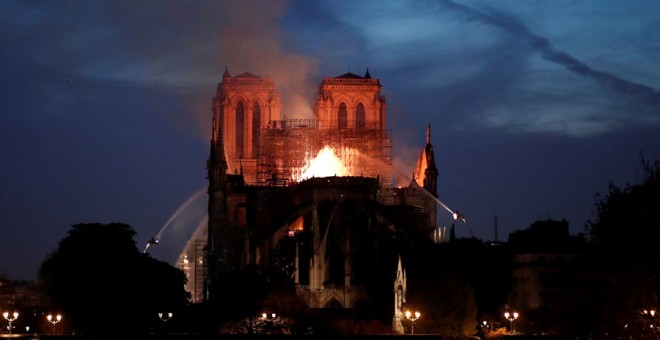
x: 237, y: 115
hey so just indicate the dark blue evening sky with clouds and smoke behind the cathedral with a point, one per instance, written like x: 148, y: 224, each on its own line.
x: 105, y: 106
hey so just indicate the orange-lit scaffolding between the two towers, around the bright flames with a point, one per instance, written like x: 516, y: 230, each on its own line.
x: 287, y: 147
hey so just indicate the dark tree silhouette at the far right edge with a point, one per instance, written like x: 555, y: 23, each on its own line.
x: 626, y: 242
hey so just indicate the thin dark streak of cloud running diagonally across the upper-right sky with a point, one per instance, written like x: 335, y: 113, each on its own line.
x: 628, y: 89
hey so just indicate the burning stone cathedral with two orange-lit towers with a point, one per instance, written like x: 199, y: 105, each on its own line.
x: 311, y: 198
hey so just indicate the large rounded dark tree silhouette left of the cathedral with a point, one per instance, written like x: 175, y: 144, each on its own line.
x: 105, y: 285
